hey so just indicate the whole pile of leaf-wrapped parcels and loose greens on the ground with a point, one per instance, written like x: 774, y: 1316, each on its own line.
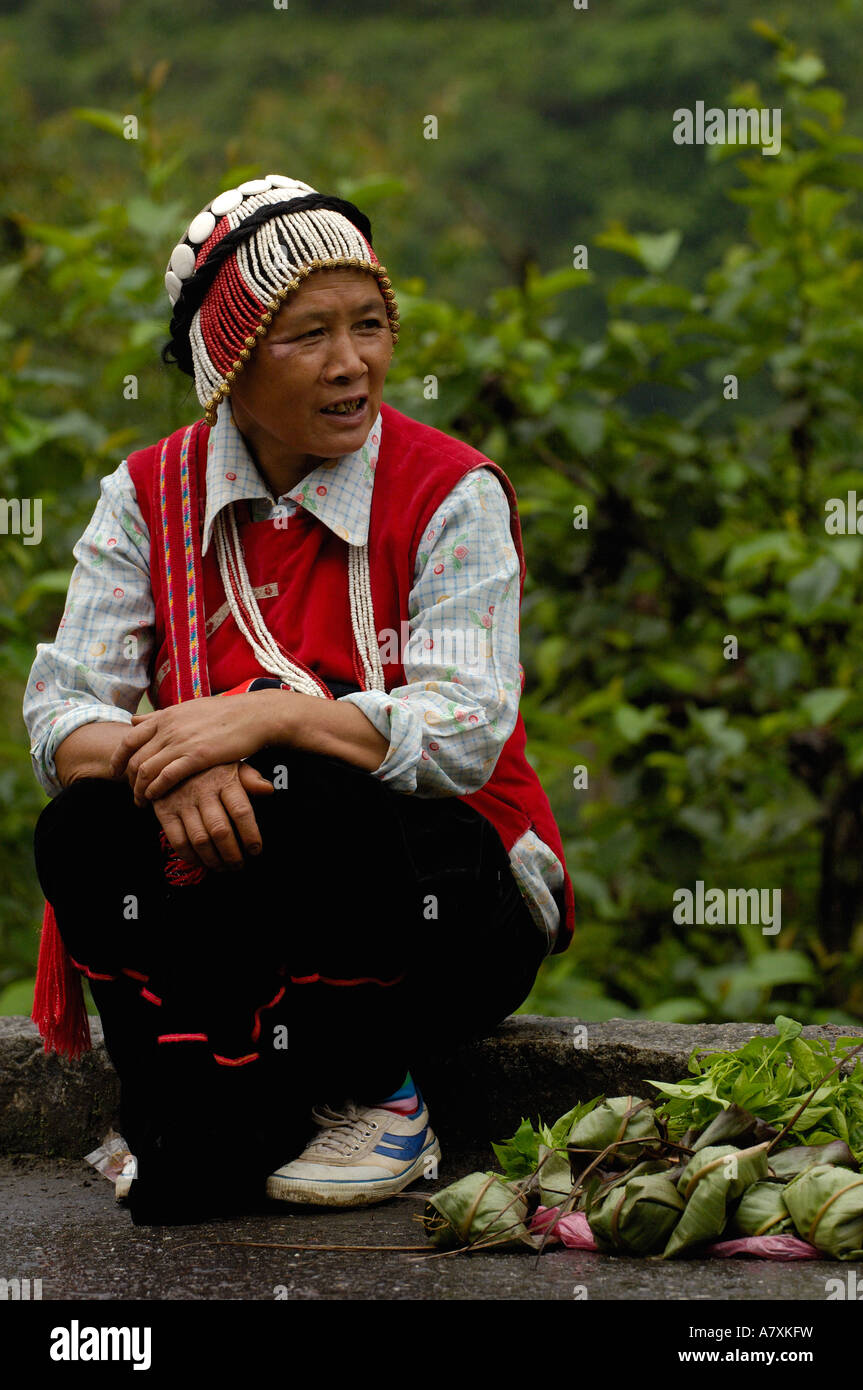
x: 673, y: 1178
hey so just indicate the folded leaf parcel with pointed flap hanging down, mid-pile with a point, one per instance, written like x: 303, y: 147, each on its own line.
x: 711, y: 1182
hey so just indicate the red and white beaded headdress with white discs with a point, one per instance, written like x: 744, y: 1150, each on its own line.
x: 256, y: 279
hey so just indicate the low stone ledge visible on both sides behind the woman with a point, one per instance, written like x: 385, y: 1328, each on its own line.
x: 530, y: 1067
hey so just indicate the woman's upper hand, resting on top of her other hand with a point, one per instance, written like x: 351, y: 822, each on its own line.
x: 170, y: 746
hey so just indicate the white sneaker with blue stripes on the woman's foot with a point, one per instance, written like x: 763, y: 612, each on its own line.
x: 361, y: 1156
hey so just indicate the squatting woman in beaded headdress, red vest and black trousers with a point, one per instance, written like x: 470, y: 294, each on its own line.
x: 287, y: 899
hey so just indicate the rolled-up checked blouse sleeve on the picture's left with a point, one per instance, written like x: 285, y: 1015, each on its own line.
x: 98, y: 665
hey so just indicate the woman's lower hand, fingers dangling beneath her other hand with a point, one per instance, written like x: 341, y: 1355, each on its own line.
x: 209, y: 821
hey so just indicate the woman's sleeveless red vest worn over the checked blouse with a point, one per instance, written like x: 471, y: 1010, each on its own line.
x: 299, y: 575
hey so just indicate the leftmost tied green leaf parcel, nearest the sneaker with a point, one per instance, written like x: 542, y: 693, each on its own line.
x: 479, y: 1209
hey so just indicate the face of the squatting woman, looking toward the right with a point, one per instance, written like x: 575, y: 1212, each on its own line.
x: 330, y: 343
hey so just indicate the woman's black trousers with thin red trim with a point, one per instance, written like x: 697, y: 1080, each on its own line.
x: 372, y: 932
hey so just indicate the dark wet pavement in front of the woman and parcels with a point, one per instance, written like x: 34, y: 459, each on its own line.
x: 63, y: 1227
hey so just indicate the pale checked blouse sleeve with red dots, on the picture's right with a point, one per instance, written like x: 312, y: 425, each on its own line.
x: 448, y: 725
